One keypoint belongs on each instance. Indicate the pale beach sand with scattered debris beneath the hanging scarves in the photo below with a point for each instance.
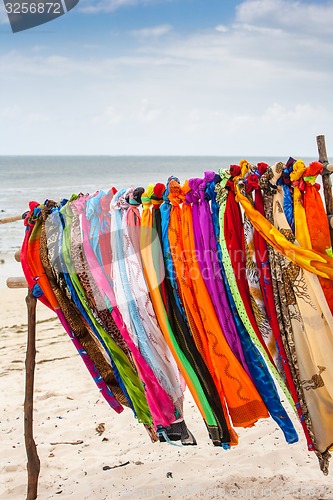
(69, 408)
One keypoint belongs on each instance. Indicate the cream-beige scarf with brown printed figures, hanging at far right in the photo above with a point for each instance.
(314, 349)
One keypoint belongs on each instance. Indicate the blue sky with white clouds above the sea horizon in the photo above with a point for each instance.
(170, 77)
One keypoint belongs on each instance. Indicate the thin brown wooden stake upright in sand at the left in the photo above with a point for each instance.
(33, 464)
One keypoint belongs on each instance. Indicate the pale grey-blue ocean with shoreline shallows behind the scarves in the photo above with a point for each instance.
(37, 178)
